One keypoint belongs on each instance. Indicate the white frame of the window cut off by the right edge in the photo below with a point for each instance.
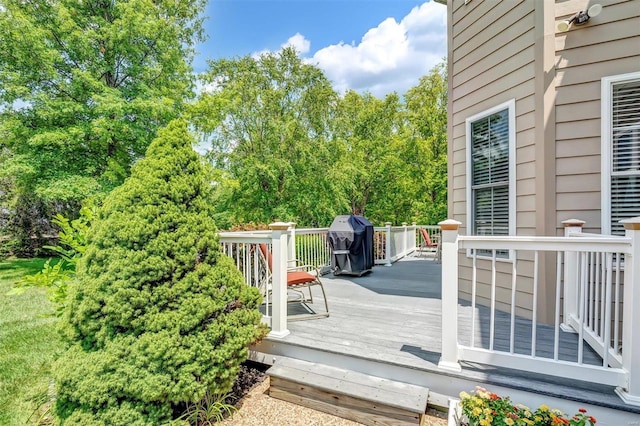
(606, 168)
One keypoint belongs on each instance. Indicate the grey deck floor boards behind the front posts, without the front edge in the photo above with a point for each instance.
(394, 314)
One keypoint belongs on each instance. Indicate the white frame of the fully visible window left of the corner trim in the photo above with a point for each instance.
(511, 107)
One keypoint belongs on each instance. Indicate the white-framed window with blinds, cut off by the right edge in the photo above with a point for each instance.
(620, 151)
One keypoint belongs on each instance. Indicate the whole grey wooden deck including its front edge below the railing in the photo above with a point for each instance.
(387, 323)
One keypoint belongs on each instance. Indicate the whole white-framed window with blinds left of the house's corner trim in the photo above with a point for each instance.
(490, 171)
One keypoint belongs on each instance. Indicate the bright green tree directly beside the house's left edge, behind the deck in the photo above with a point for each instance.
(397, 152)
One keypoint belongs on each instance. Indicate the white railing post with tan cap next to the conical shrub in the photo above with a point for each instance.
(279, 279)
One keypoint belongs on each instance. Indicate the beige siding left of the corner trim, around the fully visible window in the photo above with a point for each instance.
(504, 71)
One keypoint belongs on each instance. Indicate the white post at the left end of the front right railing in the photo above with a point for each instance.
(449, 316)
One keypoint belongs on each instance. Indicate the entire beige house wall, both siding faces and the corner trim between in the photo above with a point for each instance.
(506, 50)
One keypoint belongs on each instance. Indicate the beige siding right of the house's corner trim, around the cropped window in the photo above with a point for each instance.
(608, 45)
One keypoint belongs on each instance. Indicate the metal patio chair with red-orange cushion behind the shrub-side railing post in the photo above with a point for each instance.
(299, 278)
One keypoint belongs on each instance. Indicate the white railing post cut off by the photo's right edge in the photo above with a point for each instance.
(631, 315)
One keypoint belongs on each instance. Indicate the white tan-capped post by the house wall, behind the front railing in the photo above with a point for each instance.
(571, 284)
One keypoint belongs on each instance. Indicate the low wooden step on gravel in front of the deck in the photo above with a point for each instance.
(348, 394)
